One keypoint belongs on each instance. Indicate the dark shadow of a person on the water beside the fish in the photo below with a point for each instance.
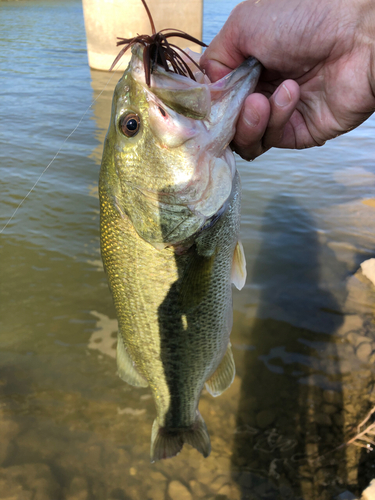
(291, 405)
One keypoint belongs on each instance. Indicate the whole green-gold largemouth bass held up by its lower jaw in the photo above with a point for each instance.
(170, 215)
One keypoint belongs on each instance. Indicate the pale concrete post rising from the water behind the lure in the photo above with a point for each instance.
(105, 20)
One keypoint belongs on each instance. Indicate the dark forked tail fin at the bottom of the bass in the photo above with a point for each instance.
(166, 443)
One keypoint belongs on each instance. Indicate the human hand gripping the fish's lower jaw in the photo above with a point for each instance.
(319, 70)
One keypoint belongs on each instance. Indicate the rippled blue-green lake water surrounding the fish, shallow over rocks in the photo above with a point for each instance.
(303, 332)
